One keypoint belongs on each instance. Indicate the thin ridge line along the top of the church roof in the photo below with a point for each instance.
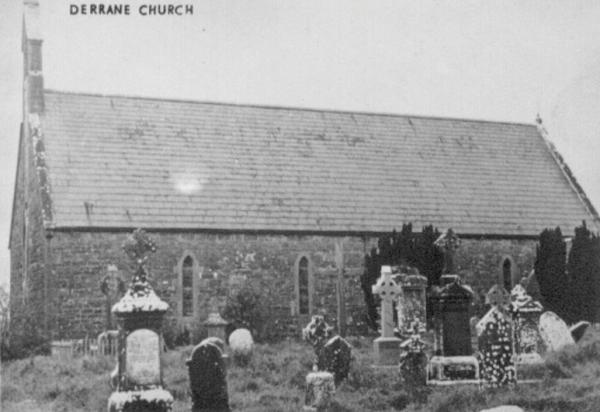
(275, 107)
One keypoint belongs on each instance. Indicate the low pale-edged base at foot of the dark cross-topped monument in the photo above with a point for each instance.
(453, 368)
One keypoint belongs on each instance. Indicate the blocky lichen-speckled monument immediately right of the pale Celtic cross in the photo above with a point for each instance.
(412, 303)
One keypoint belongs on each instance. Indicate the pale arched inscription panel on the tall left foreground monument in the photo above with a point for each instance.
(142, 357)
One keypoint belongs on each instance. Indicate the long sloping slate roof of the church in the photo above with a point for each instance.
(124, 162)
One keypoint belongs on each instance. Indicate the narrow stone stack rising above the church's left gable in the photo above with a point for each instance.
(33, 81)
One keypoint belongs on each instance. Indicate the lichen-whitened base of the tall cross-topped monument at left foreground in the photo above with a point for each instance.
(152, 400)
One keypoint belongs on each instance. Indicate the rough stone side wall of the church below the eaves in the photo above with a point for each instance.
(79, 261)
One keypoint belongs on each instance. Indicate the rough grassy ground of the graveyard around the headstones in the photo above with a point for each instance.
(274, 380)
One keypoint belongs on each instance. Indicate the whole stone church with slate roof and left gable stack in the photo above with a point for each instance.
(287, 199)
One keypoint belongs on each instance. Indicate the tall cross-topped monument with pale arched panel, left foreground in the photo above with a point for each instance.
(138, 378)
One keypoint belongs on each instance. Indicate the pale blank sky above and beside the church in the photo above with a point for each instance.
(497, 60)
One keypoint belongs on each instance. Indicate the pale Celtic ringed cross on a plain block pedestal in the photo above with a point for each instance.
(387, 346)
